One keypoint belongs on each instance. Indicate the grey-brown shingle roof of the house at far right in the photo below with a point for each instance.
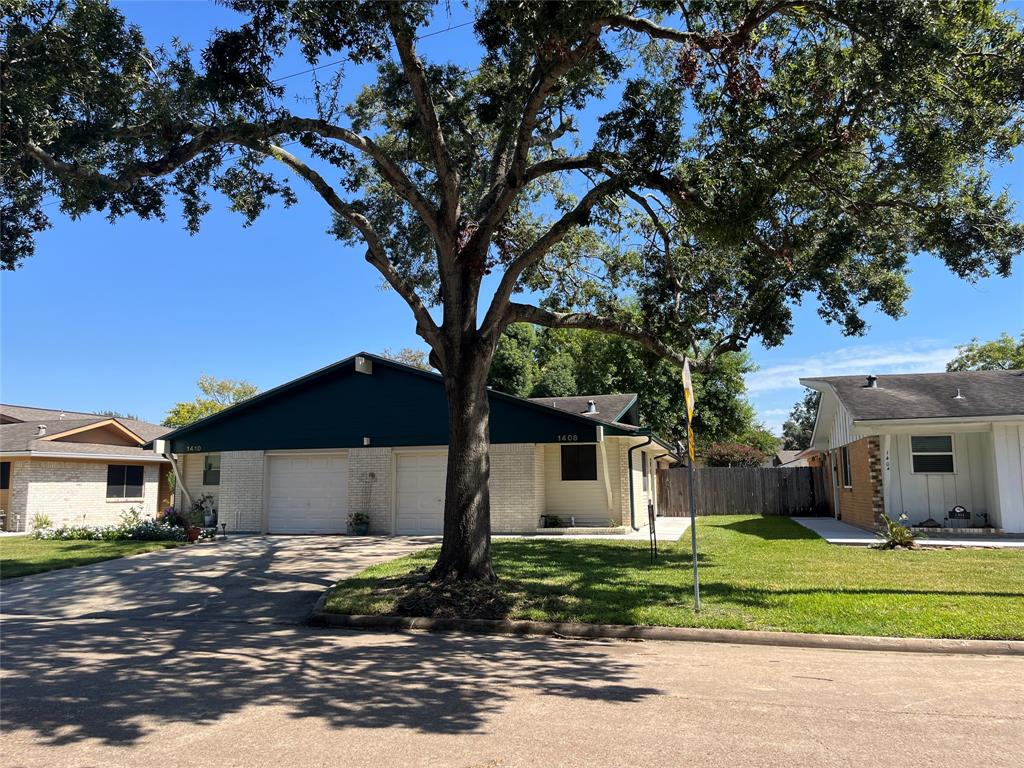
(930, 396)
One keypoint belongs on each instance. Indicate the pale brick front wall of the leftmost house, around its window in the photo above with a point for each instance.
(73, 493)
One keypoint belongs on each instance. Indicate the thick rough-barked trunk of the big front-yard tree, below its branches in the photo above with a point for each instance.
(466, 548)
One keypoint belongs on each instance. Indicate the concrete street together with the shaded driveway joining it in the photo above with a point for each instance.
(200, 659)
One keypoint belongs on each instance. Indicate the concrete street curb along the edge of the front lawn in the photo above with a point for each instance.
(320, 618)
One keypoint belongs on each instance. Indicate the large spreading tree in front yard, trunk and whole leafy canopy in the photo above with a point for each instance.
(748, 155)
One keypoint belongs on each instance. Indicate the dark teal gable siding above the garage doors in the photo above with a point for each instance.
(395, 406)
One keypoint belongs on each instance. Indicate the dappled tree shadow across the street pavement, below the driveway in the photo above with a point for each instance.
(120, 682)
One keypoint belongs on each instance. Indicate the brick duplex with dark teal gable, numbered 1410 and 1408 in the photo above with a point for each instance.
(369, 435)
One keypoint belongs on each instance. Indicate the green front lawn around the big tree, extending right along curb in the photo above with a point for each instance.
(757, 574)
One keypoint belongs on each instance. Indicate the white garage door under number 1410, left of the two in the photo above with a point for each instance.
(309, 494)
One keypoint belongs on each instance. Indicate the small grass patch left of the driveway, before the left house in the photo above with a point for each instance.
(24, 556)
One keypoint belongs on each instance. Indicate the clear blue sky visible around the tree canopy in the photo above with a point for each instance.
(127, 317)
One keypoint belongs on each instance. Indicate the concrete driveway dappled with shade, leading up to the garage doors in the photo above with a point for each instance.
(244, 579)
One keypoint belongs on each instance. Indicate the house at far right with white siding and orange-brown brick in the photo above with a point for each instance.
(922, 445)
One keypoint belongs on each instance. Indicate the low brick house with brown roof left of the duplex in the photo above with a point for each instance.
(77, 467)
